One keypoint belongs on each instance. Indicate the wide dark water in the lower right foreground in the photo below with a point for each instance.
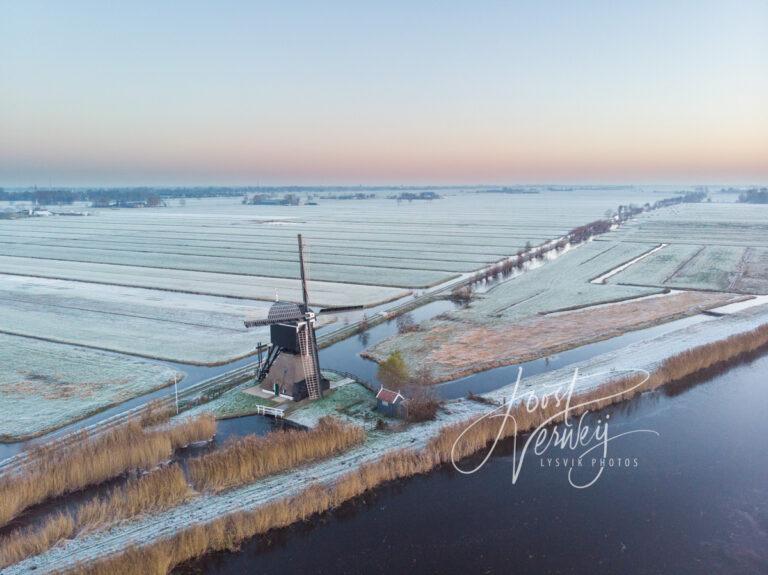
(693, 499)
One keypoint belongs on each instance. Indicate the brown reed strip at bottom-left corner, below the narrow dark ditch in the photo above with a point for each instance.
(151, 493)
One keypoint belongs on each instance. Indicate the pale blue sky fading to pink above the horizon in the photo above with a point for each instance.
(396, 92)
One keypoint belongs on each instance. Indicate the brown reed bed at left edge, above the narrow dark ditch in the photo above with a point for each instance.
(56, 470)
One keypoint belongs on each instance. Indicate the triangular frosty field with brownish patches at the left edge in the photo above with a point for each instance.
(44, 386)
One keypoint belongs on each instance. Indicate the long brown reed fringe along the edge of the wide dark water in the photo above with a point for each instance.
(229, 531)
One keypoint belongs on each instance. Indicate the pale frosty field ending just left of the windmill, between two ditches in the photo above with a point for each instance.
(172, 326)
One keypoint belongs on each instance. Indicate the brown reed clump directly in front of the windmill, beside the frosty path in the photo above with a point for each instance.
(246, 459)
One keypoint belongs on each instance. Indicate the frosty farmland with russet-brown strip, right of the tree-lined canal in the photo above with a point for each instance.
(705, 247)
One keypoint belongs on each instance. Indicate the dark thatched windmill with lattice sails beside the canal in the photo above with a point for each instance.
(292, 365)
